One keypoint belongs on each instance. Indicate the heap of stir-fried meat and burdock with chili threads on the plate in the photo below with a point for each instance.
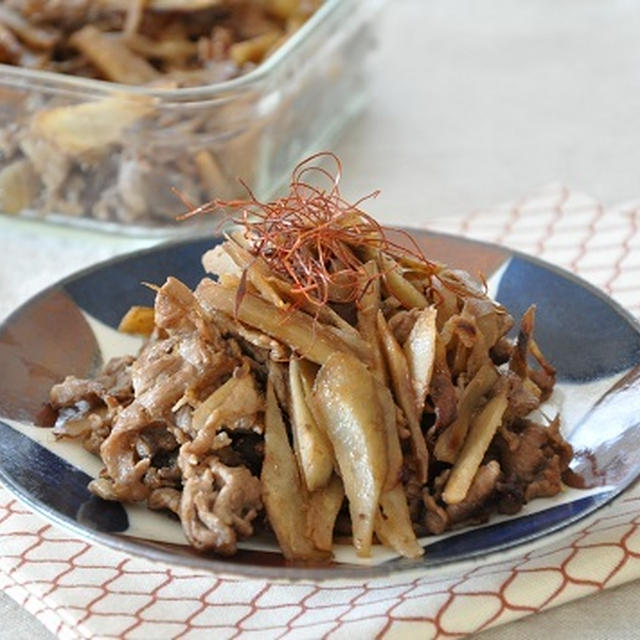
(329, 381)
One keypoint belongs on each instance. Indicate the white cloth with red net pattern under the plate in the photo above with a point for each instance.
(82, 591)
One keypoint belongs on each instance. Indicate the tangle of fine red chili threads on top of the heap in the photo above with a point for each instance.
(317, 241)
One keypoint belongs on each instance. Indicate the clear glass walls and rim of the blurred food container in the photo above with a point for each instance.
(98, 154)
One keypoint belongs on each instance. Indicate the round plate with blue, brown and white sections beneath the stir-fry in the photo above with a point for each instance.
(70, 329)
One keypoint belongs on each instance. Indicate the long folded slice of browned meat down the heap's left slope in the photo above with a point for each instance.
(176, 367)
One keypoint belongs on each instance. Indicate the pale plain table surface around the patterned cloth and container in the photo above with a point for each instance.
(472, 103)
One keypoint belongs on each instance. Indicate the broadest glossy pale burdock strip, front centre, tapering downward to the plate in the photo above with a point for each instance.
(345, 399)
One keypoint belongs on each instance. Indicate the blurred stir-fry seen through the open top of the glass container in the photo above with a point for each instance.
(147, 42)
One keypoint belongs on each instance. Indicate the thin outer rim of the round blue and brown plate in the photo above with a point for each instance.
(298, 572)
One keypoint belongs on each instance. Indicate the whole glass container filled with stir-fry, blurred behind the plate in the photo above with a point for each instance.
(127, 98)
